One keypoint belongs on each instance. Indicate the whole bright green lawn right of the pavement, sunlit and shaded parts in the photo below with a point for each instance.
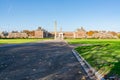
(103, 55)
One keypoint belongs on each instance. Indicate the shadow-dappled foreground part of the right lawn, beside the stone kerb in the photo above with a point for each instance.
(103, 58)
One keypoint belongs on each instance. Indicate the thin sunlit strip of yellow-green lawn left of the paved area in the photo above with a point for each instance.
(18, 41)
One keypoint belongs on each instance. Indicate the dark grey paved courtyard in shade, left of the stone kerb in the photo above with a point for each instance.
(39, 61)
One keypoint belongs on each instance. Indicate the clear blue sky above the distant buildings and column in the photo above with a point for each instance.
(69, 14)
